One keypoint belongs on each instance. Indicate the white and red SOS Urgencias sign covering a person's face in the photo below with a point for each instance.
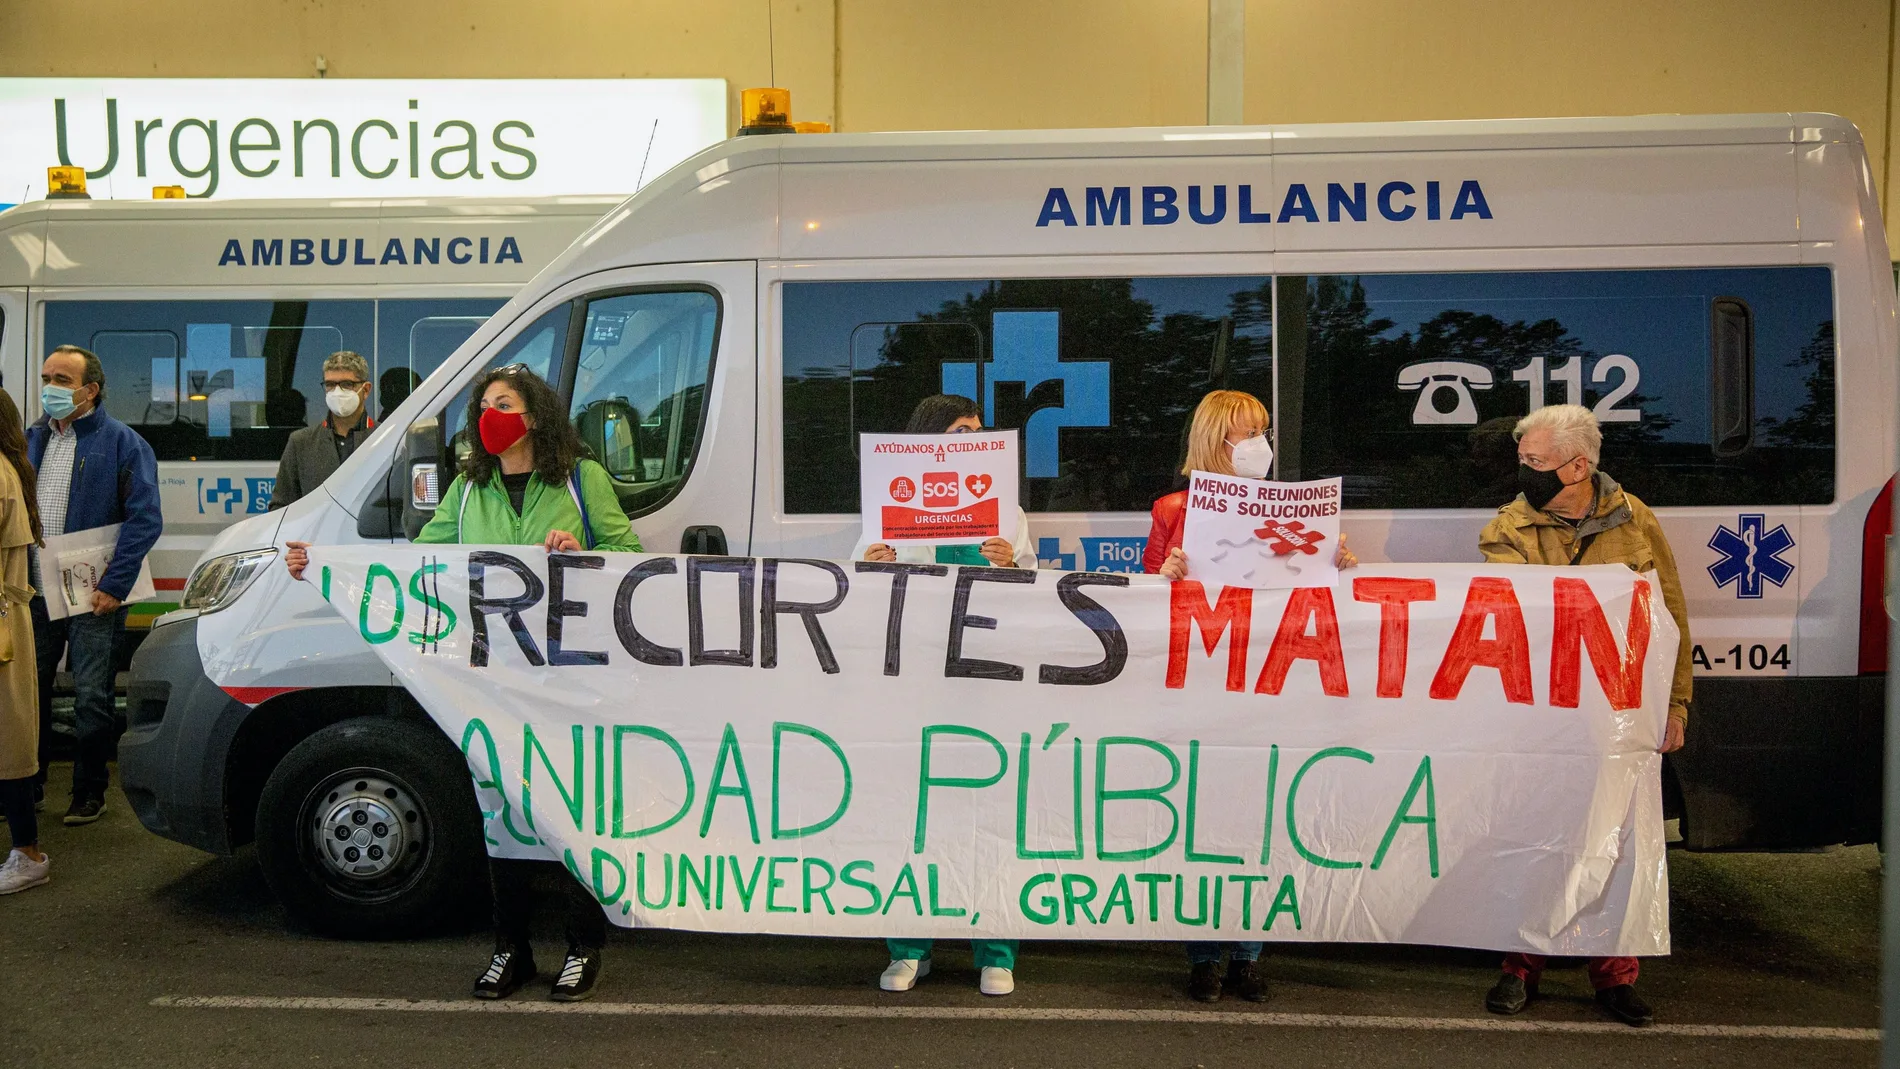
(938, 489)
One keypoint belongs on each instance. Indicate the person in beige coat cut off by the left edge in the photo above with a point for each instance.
(20, 679)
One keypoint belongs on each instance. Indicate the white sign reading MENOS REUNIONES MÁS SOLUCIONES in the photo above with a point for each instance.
(1249, 533)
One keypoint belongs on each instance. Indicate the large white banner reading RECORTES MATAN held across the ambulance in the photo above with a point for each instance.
(1432, 755)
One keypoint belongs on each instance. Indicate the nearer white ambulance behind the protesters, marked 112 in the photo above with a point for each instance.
(1717, 290)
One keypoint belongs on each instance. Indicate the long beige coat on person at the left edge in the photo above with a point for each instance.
(20, 677)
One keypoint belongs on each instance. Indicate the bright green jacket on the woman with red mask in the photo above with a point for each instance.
(491, 519)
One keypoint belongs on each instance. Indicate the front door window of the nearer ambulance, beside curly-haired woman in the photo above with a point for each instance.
(641, 386)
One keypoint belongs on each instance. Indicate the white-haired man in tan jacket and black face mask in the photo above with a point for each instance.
(1568, 512)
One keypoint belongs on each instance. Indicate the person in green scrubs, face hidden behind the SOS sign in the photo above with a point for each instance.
(951, 415)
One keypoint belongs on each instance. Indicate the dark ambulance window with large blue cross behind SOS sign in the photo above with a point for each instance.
(1099, 375)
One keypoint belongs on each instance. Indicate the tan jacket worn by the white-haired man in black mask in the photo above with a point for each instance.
(1627, 533)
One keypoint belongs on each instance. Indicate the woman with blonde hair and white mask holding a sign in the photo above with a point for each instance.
(1228, 438)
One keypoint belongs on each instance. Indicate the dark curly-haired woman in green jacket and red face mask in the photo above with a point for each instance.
(527, 483)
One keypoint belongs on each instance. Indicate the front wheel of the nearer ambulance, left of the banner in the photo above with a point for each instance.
(370, 831)
